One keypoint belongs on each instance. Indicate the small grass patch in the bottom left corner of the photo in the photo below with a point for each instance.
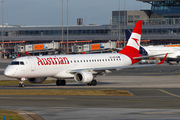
(10, 115)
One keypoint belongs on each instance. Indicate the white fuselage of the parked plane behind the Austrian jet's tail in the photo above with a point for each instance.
(174, 52)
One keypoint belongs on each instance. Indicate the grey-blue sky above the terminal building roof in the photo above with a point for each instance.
(49, 12)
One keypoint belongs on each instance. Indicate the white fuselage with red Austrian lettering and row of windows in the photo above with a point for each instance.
(59, 66)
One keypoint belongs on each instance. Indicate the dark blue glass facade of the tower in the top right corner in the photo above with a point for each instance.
(167, 8)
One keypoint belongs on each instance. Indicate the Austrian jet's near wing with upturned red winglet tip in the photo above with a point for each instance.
(116, 67)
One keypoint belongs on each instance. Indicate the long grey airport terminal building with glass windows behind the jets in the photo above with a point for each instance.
(161, 25)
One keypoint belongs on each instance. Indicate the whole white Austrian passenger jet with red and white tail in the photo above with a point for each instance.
(83, 68)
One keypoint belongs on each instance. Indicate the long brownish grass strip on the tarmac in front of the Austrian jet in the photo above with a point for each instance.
(82, 92)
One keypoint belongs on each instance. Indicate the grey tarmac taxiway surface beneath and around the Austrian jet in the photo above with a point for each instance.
(156, 93)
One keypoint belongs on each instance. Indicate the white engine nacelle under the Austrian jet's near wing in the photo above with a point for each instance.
(83, 77)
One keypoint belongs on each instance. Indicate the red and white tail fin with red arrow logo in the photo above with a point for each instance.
(133, 44)
